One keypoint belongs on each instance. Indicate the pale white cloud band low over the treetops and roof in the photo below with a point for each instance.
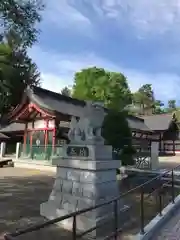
(59, 70)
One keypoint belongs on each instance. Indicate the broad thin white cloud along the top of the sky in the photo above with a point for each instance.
(145, 17)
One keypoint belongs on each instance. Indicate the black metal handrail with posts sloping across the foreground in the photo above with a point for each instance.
(10, 236)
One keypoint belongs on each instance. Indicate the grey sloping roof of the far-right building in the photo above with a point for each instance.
(158, 122)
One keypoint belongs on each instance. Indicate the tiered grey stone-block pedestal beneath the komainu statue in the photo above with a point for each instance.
(86, 176)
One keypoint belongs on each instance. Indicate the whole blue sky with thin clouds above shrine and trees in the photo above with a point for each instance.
(140, 38)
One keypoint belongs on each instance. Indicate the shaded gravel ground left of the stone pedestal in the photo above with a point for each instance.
(20, 199)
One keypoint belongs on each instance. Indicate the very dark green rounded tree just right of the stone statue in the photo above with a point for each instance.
(119, 135)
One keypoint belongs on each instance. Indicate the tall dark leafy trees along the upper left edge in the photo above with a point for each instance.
(19, 31)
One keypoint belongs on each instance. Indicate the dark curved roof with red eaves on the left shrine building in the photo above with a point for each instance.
(50, 103)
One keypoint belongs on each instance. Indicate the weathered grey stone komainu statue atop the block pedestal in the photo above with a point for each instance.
(88, 128)
